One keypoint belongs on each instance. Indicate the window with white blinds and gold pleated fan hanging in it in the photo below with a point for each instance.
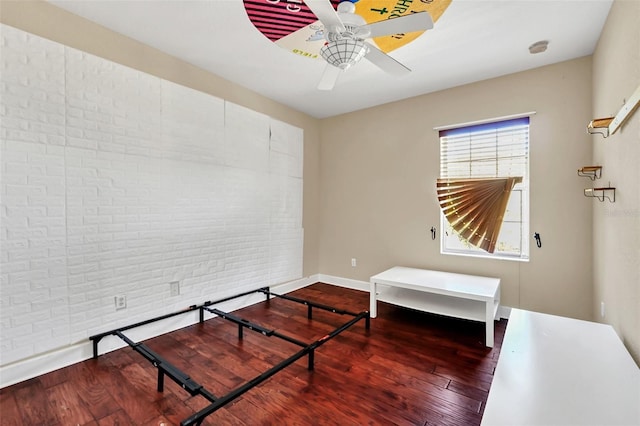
(485, 169)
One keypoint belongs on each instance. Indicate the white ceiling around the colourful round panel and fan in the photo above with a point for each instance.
(473, 40)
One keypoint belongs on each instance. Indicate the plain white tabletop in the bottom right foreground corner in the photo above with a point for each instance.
(560, 371)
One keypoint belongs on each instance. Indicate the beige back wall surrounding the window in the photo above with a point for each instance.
(378, 169)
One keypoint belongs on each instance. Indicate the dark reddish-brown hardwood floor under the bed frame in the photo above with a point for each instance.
(410, 368)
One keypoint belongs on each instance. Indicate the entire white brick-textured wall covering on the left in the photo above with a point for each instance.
(115, 182)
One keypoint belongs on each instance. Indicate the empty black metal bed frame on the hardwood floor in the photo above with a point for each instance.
(165, 368)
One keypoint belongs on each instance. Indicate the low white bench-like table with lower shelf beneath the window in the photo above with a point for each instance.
(444, 293)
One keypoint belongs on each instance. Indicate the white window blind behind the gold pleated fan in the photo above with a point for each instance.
(489, 150)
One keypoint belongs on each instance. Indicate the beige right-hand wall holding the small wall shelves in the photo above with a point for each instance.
(616, 227)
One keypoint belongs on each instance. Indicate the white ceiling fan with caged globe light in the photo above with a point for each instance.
(346, 32)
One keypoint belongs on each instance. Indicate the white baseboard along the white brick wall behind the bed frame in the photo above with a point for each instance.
(29, 368)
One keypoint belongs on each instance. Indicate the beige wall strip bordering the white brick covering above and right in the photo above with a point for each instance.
(48, 21)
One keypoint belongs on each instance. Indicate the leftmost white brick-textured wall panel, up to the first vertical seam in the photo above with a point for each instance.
(34, 301)
